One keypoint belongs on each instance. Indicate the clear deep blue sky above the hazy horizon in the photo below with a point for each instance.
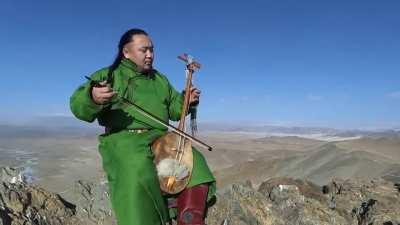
(292, 63)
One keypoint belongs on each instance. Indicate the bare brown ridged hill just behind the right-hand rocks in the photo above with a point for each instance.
(319, 165)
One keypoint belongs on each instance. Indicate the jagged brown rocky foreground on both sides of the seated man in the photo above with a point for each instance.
(278, 201)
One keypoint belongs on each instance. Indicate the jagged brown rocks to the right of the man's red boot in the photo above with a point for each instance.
(287, 201)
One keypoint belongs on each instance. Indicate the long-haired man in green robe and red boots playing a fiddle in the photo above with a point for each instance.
(125, 146)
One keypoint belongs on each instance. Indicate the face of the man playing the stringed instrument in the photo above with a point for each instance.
(140, 51)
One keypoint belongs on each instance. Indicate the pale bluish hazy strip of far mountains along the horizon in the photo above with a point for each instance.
(68, 124)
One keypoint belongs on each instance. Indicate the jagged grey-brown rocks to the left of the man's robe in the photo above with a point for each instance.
(25, 204)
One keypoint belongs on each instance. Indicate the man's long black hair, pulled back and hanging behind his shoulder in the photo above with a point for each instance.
(125, 39)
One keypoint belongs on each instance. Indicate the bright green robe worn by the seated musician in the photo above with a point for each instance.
(127, 159)
